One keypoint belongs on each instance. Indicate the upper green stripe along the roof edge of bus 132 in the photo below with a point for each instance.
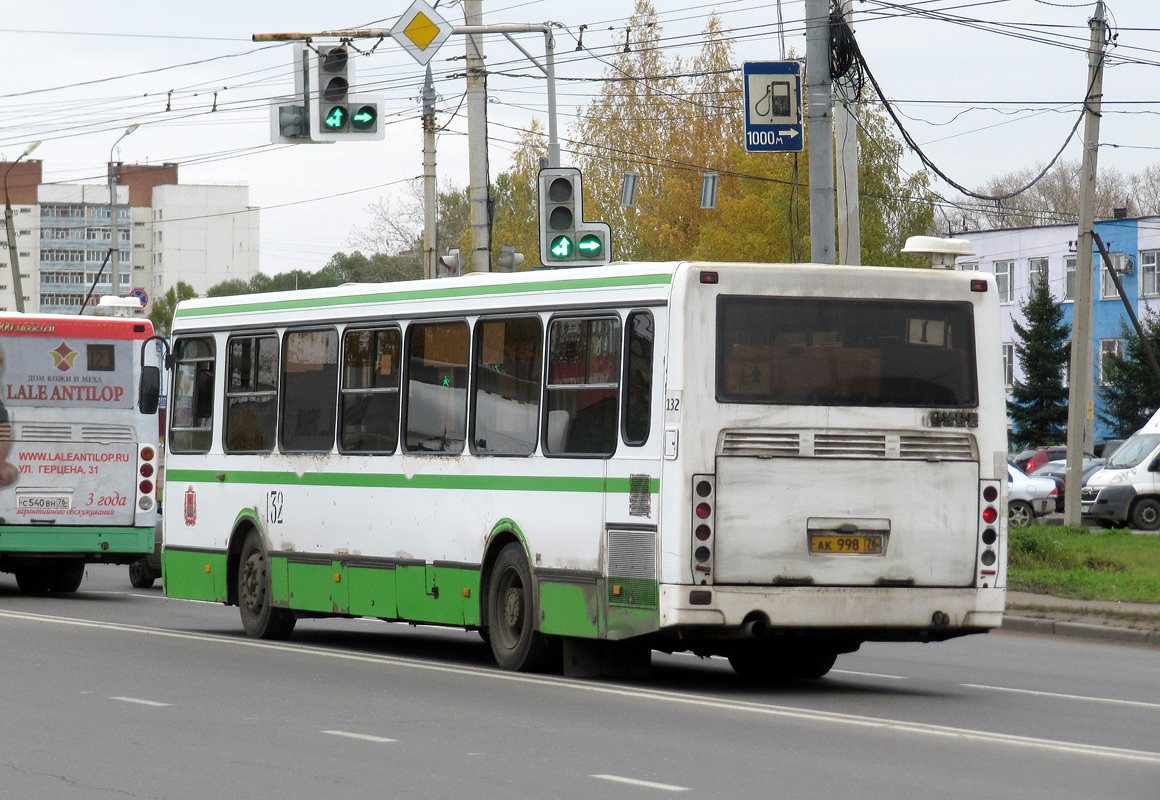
(443, 292)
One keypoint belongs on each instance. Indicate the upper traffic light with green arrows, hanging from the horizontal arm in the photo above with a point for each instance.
(337, 115)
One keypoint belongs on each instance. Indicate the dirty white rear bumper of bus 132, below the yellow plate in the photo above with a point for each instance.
(867, 613)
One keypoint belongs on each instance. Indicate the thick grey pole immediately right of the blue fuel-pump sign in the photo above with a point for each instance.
(822, 132)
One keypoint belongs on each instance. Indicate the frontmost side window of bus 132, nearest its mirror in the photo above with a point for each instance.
(192, 405)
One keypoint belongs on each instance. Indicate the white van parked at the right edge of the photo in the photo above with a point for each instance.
(1127, 492)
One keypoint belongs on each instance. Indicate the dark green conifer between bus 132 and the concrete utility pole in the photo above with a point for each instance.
(1039, 405)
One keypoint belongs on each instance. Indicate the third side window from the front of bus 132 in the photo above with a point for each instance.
(310, 368)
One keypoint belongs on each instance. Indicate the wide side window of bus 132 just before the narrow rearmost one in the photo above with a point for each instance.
(584, 374)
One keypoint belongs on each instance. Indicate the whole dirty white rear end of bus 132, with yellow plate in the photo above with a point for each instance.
(836, 459)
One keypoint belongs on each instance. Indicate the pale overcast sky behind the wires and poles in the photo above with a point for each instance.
(987, 88)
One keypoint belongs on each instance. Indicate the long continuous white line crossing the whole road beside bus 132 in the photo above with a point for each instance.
(610, 690)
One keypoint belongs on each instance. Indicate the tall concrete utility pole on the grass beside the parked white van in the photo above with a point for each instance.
(1081, 394)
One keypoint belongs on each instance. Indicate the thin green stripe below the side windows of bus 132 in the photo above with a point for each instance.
(400, 482)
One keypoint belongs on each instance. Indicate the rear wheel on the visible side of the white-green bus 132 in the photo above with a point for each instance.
(512, 616)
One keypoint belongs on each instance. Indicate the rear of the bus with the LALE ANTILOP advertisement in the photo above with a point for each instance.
(77, 456)
